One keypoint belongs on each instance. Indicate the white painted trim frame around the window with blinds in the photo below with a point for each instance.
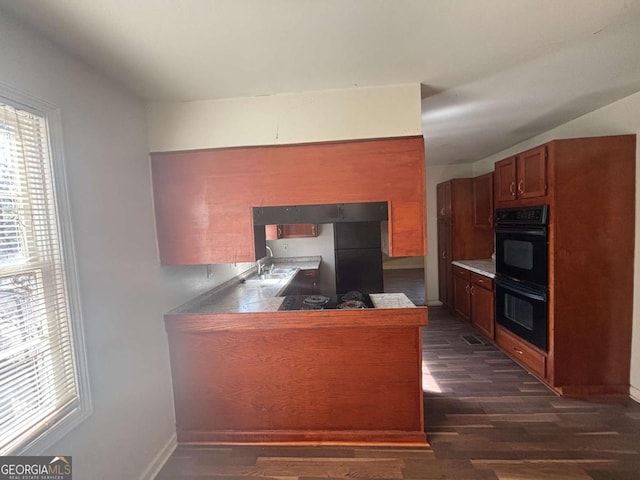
(53, 119)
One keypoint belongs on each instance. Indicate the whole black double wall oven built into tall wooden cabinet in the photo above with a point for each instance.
(522, 273)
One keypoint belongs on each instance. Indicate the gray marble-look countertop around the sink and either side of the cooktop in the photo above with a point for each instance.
(240, 295)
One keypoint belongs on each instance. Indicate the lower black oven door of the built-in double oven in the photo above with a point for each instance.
(522, 309)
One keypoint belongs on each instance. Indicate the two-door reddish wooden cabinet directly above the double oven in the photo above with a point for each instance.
(521, 177)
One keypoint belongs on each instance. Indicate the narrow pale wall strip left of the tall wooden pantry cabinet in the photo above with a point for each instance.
(435, 175)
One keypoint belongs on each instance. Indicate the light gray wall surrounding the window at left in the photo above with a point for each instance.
(123, 289)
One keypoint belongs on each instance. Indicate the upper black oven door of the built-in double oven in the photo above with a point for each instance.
(521, 253)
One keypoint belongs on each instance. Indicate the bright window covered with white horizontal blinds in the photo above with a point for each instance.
(42, 373)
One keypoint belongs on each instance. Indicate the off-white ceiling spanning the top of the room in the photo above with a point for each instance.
(494, 72)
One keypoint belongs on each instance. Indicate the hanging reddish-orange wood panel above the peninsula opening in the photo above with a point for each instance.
(204, 198)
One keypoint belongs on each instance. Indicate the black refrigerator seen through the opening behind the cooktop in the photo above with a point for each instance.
(358, 257)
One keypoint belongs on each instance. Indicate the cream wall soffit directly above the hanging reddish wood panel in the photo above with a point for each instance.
(355, 113)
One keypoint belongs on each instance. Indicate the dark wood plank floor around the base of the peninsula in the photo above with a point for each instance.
(486, 418)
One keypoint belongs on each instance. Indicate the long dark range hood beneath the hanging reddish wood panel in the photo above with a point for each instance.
(327, 213)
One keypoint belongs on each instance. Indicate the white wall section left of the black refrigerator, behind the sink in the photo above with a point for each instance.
(322, 245)
